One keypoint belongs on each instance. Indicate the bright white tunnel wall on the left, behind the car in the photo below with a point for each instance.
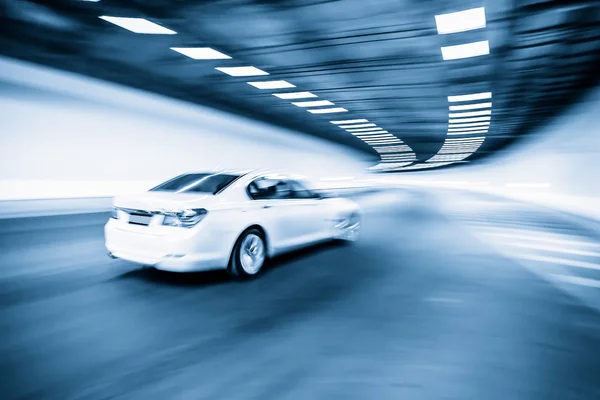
(65, 135)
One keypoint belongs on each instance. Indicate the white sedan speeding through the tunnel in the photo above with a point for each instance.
(229, 220)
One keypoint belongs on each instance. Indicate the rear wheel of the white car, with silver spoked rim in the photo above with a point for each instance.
(249, 255)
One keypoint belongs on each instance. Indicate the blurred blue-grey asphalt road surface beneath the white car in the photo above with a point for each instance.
(423, 306)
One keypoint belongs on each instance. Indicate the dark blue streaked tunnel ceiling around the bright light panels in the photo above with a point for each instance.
(380, 60)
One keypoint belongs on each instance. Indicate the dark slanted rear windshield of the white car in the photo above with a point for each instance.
(196, 183)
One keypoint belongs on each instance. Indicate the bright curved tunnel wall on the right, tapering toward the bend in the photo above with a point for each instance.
(558, 167)
